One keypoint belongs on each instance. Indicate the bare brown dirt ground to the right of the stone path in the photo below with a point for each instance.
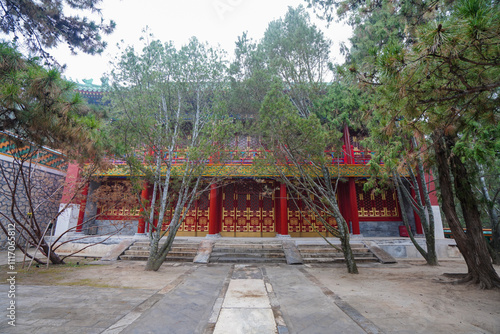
(410, 294)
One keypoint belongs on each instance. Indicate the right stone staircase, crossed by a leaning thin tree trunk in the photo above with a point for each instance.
(324, 253)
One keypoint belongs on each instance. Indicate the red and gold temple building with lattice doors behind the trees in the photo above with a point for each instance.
(249, 201)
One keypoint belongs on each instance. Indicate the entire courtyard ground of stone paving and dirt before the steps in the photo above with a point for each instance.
(189, 298)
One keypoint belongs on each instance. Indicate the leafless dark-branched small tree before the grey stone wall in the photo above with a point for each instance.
(30, 198)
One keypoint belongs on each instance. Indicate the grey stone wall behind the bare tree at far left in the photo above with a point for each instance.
(43, 188)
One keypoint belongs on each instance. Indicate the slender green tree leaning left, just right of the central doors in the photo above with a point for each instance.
(296, 149)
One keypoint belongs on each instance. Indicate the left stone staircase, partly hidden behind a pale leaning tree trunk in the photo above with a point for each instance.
(182, 251)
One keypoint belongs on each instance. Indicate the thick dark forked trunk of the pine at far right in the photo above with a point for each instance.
(472, 244)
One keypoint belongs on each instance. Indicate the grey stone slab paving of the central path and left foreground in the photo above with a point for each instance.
(206, 299)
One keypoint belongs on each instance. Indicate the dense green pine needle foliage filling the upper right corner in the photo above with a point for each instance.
(422, 66)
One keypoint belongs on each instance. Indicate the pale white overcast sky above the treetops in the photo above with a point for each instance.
(218, 22)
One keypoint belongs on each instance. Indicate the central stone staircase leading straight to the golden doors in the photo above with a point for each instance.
(245, 251)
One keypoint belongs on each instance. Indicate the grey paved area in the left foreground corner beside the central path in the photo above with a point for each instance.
(68, 309)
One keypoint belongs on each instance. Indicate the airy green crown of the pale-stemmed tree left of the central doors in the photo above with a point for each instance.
(160, 95)
